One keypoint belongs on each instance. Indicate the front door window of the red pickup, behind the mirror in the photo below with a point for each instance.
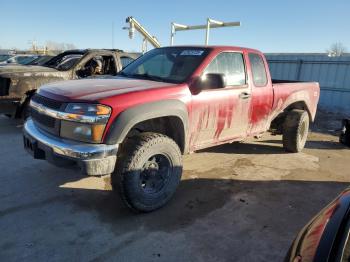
(231, 65)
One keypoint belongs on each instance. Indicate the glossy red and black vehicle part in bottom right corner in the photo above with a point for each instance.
(326, 236)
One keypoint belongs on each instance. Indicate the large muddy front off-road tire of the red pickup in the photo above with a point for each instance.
(134, 153)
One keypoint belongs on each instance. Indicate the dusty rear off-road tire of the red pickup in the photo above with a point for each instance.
(295, 130)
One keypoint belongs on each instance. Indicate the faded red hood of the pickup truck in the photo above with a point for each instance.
(97, 89)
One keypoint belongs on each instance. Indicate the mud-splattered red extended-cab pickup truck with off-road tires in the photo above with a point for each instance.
(169, 102)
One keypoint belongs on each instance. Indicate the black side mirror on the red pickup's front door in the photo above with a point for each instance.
(209, 81)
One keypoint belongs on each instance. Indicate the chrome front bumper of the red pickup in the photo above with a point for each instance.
(94, 159)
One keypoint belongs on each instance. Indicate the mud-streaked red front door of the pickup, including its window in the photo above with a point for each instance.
(219, 115)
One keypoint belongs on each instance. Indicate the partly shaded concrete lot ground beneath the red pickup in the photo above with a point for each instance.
(236, 202)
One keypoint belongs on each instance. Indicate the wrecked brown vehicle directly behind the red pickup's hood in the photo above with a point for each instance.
(18, 84)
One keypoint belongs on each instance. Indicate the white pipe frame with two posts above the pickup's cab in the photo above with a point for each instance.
(211, 23)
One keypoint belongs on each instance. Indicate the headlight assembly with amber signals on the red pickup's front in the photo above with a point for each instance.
(85, 122)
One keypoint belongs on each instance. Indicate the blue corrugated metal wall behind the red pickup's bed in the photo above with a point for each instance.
(333, 74)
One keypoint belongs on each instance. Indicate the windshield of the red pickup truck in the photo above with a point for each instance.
(169, 64)
